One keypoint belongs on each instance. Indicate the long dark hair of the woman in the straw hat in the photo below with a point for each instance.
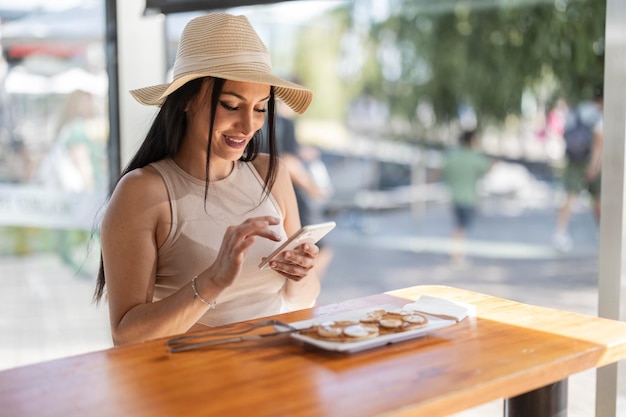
(167, 132)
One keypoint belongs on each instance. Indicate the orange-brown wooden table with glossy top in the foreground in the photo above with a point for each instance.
(507, 350)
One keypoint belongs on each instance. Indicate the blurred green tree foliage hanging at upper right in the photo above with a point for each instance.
(486, 57)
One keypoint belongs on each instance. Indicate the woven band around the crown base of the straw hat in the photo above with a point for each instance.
(203, 63)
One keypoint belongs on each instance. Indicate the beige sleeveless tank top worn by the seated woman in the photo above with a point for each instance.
(196, 236)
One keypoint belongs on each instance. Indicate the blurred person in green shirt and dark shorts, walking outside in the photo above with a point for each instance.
(464, 166)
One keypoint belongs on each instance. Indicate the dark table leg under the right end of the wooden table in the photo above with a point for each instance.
(548, 401)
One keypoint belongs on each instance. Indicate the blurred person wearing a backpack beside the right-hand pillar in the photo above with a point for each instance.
(583, 152)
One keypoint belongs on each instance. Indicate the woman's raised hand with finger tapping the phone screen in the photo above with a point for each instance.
(234, 248)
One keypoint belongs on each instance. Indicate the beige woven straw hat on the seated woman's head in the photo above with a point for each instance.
(224, 46)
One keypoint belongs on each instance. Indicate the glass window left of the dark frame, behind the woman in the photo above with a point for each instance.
(53, 178)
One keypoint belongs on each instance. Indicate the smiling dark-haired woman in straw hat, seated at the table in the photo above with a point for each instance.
(198, 207)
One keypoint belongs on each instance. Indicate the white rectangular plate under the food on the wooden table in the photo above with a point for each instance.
(348, 347)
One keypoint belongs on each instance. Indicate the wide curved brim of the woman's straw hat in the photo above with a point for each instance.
(297, 97)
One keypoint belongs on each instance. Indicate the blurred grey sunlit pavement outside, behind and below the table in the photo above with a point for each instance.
(511, 257)
